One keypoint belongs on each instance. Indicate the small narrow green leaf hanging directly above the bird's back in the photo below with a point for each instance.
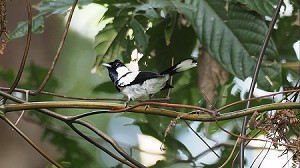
(140, 36)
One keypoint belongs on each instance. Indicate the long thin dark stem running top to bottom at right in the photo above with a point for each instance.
(255, 76)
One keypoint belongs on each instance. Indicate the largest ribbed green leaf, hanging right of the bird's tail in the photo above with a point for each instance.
(234, 38)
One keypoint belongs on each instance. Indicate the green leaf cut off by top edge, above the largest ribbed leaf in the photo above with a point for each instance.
(265, 7)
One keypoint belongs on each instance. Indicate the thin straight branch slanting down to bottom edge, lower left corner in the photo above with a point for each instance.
(30, 142)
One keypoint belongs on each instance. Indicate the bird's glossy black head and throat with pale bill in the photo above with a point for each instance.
(112, 69)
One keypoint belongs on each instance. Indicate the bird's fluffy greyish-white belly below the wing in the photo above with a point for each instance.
(150, 86)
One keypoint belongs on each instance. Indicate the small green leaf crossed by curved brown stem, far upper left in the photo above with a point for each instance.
(21, 30)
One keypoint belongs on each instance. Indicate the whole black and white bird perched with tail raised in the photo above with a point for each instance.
(143, 84)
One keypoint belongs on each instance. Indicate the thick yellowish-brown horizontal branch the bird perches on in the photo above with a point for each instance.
(117, 108)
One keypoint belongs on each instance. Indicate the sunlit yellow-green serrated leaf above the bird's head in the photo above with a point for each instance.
(111, 41)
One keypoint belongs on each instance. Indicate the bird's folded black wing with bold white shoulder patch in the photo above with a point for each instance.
(137, 78)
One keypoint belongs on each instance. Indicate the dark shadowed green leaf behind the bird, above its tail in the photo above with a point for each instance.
(182, 43)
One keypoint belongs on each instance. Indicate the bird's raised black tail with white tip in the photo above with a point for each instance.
(181, 66)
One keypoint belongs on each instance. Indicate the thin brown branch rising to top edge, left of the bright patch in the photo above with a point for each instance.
(58, 49)
